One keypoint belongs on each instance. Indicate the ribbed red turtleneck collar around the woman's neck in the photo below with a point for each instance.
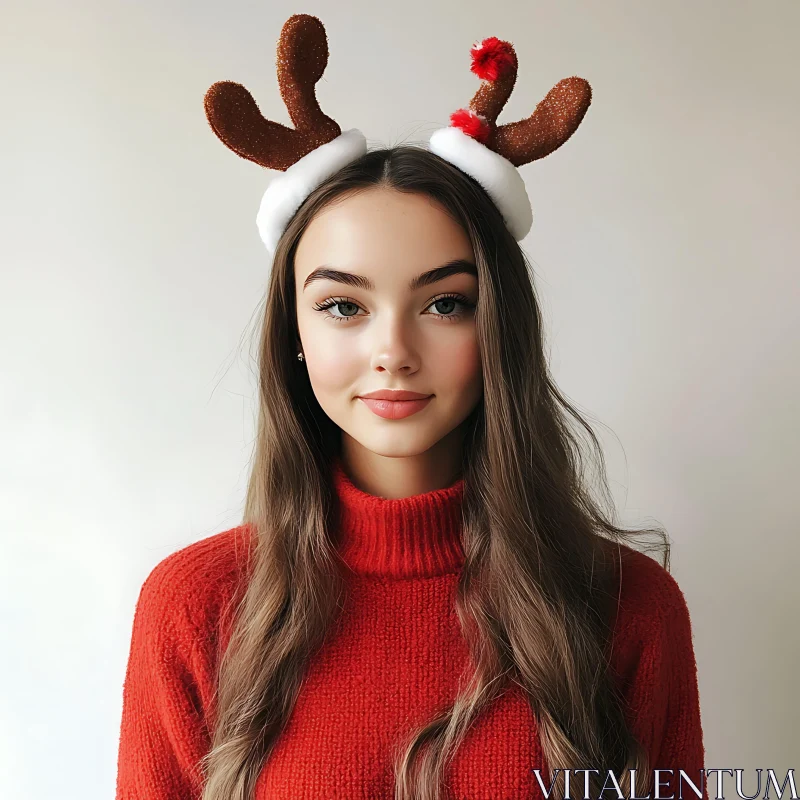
(408, 537)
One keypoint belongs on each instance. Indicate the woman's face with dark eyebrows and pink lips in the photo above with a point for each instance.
(378, 326)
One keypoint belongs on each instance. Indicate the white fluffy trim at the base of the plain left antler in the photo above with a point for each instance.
(290, 188)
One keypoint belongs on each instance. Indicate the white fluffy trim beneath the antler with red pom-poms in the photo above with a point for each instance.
(498, 176)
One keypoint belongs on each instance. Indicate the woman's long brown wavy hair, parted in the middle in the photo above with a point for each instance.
(535, 598)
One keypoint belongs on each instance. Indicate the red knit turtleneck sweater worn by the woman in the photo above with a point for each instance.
(394, 658)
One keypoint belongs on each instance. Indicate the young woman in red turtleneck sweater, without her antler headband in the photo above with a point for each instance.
(424, 600)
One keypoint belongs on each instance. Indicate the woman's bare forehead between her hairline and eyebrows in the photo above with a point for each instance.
(381, 229)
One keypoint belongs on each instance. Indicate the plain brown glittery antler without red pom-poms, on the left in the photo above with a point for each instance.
(234, 116)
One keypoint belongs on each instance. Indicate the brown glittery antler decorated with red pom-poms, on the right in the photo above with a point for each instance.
(553, 121)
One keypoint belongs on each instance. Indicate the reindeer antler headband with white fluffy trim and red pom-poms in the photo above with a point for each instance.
(316, 148)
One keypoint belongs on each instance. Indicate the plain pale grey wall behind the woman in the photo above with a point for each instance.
(664, 243)
